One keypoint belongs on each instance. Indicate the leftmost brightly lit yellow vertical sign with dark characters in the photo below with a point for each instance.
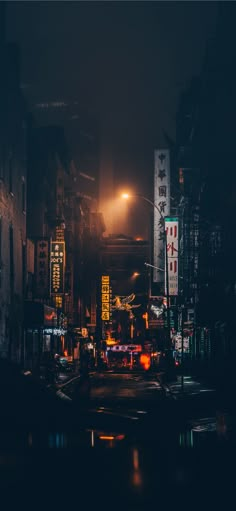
(57, 266)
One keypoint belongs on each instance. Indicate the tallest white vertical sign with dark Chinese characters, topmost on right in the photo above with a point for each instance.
(162, 201)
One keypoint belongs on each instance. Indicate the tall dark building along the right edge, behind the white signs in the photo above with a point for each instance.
(205, 156)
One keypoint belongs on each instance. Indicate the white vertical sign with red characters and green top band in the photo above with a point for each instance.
(172, 236)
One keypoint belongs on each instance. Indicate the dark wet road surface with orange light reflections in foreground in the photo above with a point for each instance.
(136, 444)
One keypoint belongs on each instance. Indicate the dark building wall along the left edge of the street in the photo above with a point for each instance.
(13, 187)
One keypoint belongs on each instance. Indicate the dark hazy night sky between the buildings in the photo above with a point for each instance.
(127, 62)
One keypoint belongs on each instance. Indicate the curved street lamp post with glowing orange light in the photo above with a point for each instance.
(146, 199)
